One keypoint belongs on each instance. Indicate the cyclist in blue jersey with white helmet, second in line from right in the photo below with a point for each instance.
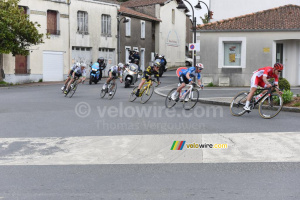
(186, 78)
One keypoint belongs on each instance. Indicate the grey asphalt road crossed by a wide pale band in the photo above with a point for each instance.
(85, 147)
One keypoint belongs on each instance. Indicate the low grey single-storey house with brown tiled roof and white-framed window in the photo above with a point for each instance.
(233, 48)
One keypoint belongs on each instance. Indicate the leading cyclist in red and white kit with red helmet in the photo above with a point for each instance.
(260, 78)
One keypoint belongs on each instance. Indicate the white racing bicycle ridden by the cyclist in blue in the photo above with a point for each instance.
(189, 98)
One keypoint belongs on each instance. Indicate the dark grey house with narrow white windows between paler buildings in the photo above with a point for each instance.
(137, 34)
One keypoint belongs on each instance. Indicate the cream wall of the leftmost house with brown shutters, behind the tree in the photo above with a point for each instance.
(38, 13)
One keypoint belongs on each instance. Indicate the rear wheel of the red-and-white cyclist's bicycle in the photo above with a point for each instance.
(237, 104)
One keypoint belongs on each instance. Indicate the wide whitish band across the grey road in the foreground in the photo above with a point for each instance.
(150, 149)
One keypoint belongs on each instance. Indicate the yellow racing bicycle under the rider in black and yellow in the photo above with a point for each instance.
(145, 92)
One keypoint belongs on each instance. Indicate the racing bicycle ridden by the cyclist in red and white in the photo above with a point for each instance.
(270, 103)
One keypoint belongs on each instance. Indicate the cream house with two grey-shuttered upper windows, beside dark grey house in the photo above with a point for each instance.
(93, 32)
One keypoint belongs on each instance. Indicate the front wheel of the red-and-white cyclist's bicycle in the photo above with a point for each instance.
(270, 106)
